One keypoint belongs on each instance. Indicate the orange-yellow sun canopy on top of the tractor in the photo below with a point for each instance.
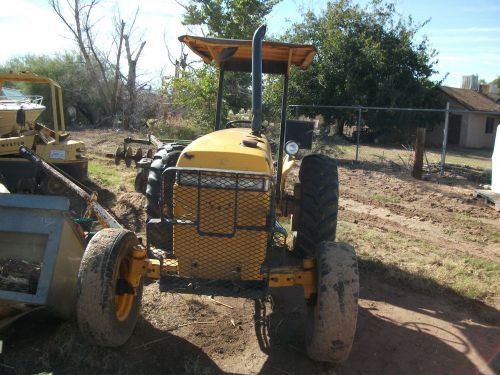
(236, 55)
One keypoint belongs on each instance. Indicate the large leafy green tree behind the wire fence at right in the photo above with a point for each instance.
(366, 56)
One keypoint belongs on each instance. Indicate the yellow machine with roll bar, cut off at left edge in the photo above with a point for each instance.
(18, 127)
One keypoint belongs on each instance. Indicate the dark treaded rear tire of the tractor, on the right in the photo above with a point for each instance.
(319, 203)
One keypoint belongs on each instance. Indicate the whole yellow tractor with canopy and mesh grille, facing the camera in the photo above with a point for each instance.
(213, 208)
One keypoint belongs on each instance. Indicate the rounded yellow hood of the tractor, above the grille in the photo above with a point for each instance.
(229, 149)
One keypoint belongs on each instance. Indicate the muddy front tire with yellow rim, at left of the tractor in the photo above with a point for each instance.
(107, 316)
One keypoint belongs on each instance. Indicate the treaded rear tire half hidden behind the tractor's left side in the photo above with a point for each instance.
(159, 235)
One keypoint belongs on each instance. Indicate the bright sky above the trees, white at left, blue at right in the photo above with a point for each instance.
(466, 34)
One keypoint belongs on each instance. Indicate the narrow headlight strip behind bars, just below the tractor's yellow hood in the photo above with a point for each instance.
(223, 182)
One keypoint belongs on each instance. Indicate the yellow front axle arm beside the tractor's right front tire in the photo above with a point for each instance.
(306, 277)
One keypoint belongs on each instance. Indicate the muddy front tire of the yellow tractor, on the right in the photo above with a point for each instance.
(331, 322)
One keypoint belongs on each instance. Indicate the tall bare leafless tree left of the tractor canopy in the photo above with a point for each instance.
(104, 70)
